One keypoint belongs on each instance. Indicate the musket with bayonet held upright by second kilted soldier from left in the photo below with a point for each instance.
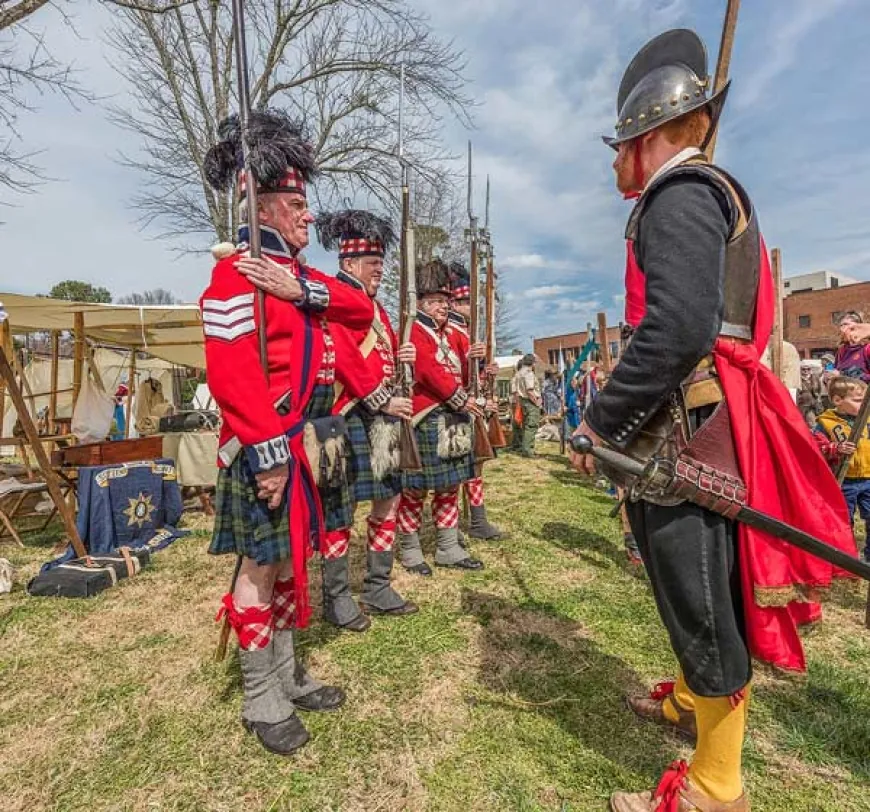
(409, 453)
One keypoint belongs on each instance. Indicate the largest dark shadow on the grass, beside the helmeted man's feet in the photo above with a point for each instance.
(537, 661)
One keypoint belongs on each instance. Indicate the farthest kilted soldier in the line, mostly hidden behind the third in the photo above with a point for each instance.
(479, 526)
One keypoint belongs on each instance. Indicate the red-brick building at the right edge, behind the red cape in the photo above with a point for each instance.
(810, 317)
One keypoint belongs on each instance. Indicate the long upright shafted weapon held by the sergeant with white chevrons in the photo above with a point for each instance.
(253, 237)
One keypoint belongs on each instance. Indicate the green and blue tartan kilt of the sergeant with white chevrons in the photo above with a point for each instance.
(243, 524)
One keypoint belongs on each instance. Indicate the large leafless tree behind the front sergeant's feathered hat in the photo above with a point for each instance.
(333, 63)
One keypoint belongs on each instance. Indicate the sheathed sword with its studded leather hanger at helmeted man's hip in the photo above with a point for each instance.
(667, 477)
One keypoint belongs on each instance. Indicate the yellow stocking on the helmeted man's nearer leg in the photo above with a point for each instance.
(715, 769)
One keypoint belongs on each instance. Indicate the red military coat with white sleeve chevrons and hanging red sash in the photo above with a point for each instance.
(263, 419)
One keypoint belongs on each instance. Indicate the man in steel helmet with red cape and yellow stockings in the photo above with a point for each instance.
(699, 295)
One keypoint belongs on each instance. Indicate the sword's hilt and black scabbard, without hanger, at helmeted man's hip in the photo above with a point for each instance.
(660, 474)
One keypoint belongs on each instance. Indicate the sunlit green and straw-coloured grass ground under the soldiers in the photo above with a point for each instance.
(504, 693)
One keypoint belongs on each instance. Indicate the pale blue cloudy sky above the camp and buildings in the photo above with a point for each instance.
(545, 74)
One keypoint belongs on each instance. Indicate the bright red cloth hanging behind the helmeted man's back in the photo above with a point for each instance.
(787, 478)
